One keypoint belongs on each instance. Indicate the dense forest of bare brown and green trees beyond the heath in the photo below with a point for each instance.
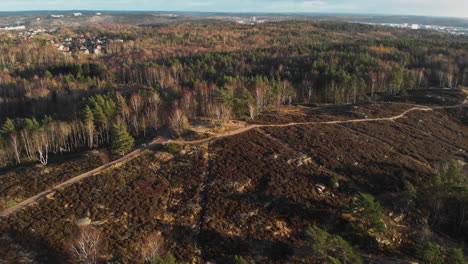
(157, 77)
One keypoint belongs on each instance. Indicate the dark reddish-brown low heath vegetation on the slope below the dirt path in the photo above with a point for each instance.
(254, 194)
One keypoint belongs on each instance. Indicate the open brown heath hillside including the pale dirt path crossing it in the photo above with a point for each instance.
(254, 194)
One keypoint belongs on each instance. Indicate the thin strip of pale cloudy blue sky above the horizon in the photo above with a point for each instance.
(454, 8)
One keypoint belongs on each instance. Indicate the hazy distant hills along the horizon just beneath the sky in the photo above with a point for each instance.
(43, 18)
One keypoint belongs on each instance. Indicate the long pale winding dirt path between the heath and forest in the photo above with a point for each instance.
(135, 153)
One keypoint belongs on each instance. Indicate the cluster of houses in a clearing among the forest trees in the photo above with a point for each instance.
(84, 45)
